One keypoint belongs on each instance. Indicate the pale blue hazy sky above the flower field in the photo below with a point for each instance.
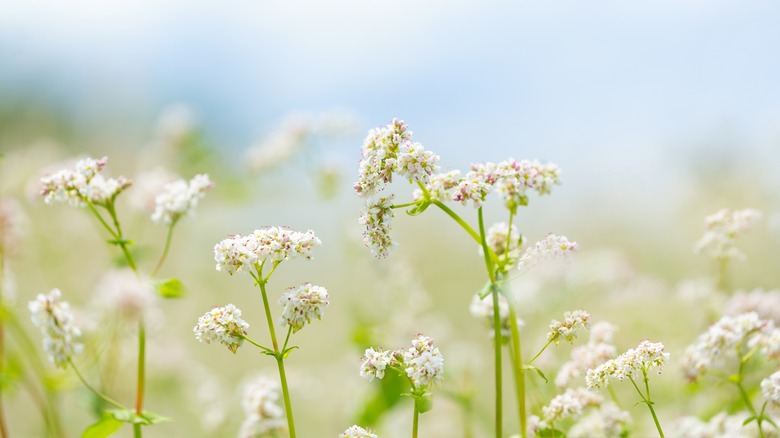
(608, 89)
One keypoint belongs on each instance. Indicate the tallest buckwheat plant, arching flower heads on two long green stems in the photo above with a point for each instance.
(390, 152)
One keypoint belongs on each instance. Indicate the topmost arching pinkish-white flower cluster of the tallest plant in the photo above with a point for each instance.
(389, 150)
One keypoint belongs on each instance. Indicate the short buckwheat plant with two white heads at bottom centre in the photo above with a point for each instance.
(422, 365)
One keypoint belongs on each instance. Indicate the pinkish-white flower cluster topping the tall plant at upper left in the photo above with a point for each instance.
(82, 184)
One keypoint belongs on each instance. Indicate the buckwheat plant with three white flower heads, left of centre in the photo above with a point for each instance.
(259, 254)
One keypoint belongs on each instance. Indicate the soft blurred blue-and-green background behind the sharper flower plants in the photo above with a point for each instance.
(658, 114)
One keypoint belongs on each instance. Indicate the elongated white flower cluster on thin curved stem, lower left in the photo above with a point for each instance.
(55, 320)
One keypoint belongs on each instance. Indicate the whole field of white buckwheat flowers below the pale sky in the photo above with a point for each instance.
(169, 290)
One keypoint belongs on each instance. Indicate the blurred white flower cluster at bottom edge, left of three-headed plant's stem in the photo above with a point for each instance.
(264, 416)
